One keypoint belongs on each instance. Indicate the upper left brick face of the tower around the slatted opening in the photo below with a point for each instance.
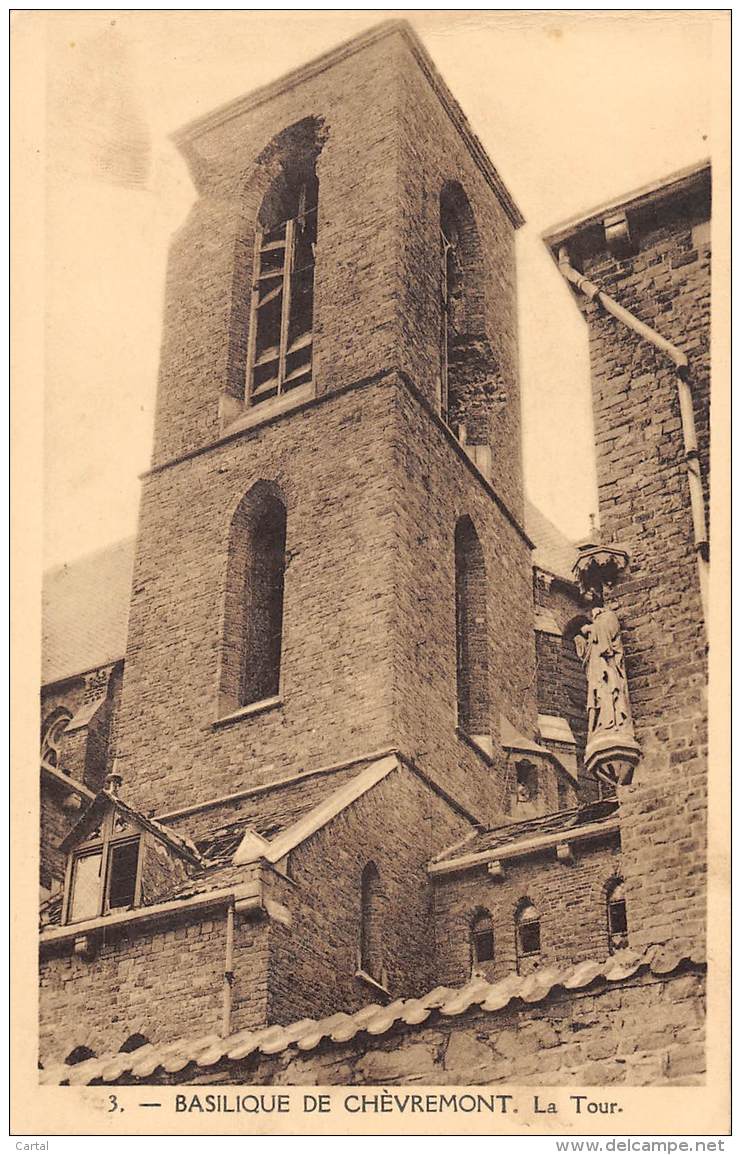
(211, 267)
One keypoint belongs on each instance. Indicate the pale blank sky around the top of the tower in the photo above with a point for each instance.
(574, 109)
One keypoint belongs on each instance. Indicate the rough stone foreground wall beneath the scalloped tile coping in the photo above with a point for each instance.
(643, 1032)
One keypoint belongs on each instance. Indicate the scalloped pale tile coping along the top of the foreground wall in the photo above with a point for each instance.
(151, 1063)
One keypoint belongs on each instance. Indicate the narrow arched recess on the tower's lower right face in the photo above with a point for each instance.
(471, 632)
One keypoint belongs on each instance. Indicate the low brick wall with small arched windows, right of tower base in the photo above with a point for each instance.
(570, 899)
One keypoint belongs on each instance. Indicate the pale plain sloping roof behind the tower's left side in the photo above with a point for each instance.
(85, 613)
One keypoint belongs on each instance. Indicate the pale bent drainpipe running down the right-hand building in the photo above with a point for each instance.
(687, 409)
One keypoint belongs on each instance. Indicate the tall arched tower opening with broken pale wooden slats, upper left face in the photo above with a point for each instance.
(282, 307)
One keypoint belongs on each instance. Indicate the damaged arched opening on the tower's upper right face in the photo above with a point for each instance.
(466, 357)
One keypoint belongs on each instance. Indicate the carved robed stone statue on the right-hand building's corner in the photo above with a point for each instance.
(600, 646)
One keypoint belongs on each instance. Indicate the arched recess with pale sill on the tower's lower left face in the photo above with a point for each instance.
(253, 609)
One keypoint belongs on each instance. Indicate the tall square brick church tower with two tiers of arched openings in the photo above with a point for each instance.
(332, 560)
